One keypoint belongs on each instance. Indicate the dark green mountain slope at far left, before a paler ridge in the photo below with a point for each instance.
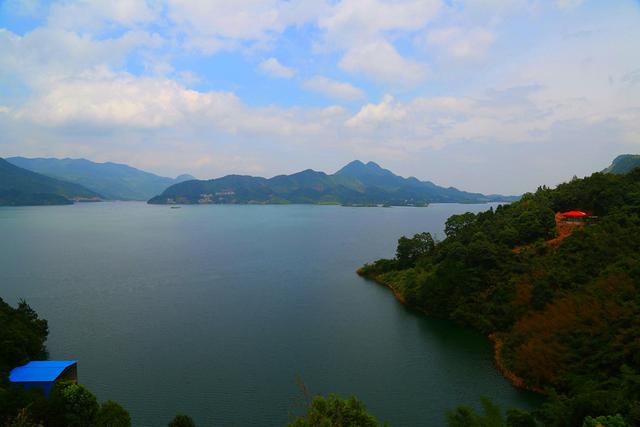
(21, 187)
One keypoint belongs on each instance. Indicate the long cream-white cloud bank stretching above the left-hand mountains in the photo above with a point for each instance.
(102, 99)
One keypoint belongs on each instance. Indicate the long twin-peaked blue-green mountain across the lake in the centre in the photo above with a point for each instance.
(355, 184)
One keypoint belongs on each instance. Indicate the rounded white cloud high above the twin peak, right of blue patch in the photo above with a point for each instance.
(380, 61)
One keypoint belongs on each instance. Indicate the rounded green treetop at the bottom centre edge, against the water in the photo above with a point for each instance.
(334, 411)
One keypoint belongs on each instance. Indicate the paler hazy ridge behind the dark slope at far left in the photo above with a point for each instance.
(114, 181)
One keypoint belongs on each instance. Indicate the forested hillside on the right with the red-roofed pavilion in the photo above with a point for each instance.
(564, 311)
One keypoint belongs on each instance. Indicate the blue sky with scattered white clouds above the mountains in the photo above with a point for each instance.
(496, 96)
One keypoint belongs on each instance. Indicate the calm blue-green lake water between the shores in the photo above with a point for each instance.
(214, 310)
